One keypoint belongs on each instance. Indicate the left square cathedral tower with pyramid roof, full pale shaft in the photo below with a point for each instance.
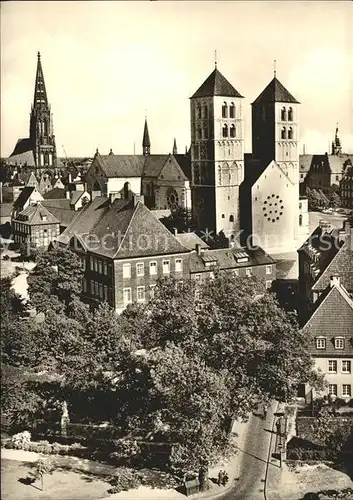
(217, 160)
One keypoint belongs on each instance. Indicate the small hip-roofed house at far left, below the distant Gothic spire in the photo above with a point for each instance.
(36, 226)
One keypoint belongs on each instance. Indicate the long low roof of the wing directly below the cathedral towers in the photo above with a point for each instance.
(226, 258)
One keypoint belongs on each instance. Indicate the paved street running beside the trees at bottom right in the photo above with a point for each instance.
(254, 460)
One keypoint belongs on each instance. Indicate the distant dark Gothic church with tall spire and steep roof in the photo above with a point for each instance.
(38, 150)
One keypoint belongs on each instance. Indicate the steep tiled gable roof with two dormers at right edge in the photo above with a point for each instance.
(326, 322)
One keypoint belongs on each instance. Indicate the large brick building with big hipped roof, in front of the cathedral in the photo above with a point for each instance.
(125, 249)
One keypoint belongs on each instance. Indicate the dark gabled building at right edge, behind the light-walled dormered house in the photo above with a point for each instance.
(327, 252)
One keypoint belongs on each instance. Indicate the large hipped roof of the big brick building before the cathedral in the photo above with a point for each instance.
(133, 230)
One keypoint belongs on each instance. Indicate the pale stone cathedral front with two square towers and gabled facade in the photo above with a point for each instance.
(259, 192)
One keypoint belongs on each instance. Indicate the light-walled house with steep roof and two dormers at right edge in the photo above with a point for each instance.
(330, 329)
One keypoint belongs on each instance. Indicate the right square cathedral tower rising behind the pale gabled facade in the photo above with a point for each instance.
(275, 129)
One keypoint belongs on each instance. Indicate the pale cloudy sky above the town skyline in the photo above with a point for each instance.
(107, 65)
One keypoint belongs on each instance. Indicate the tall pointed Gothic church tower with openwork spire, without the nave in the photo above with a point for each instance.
(41, 124)
